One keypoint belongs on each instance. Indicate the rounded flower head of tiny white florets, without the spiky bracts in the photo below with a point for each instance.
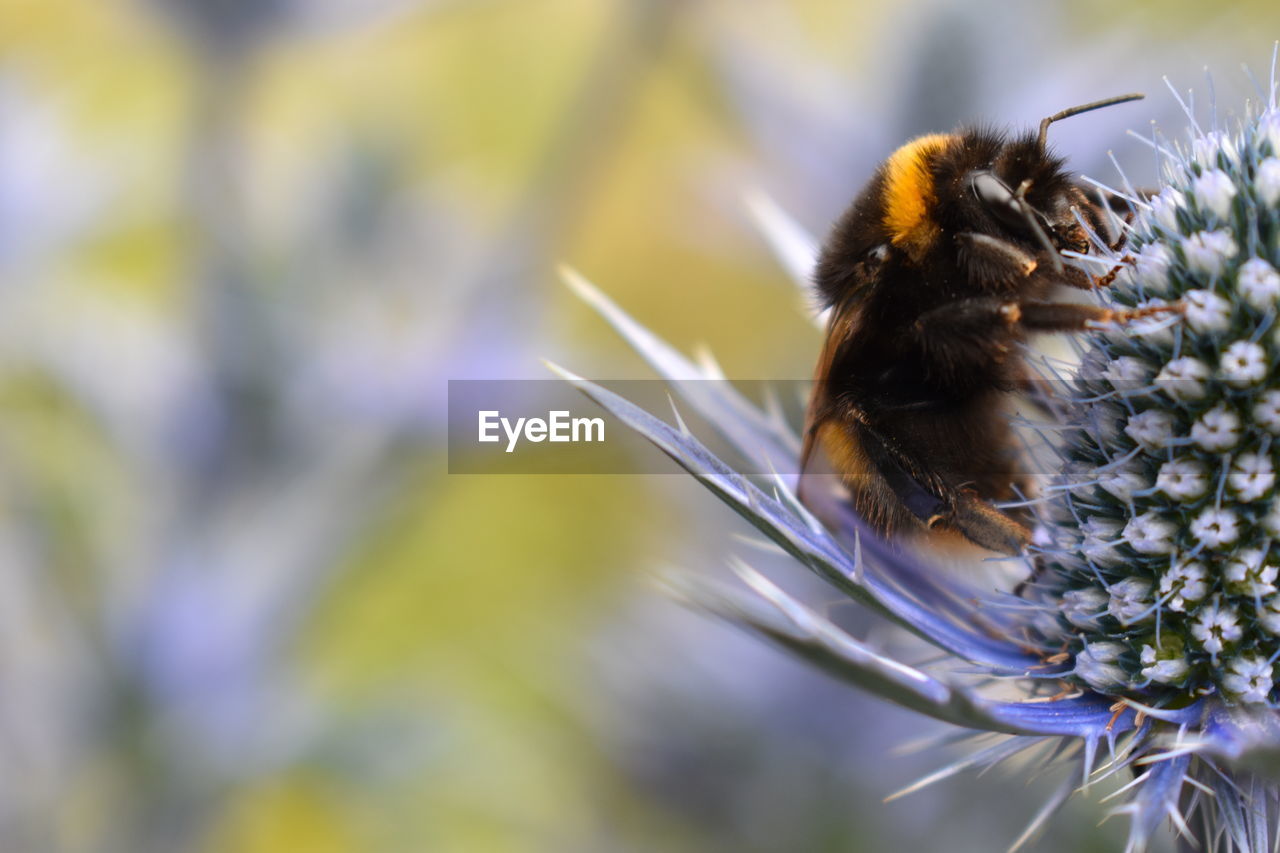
(1201, 540)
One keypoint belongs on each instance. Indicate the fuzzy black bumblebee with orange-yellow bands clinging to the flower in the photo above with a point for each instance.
(934, 279)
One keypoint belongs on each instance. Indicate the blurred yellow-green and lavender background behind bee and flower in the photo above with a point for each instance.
(245, 244)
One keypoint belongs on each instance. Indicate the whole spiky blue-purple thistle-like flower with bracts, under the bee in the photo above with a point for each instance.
(1146, 640)
